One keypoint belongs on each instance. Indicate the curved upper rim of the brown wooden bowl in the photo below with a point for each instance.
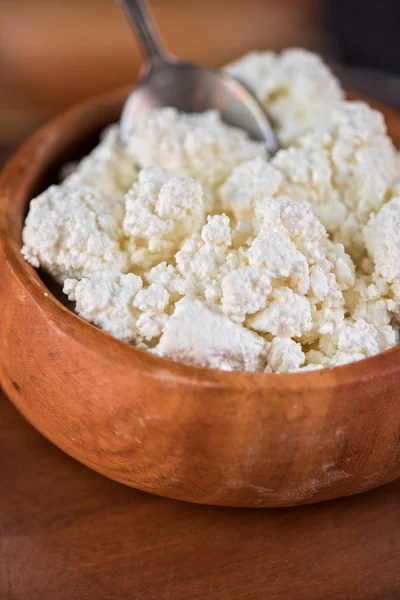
(34, 157)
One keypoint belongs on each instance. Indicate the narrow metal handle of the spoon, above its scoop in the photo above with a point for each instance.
(139, 18)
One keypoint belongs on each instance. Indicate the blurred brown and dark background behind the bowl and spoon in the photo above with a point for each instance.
(54, 53)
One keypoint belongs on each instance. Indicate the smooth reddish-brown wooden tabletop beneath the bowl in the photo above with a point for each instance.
(67, 533)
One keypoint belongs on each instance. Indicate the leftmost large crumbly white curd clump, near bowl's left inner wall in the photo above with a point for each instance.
(75, 232)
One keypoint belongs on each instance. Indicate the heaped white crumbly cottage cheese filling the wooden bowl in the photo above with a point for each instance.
(195, 245)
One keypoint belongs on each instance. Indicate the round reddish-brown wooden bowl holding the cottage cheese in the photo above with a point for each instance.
(234, 439)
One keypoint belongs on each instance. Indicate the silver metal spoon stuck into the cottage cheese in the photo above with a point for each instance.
(166, 81)
